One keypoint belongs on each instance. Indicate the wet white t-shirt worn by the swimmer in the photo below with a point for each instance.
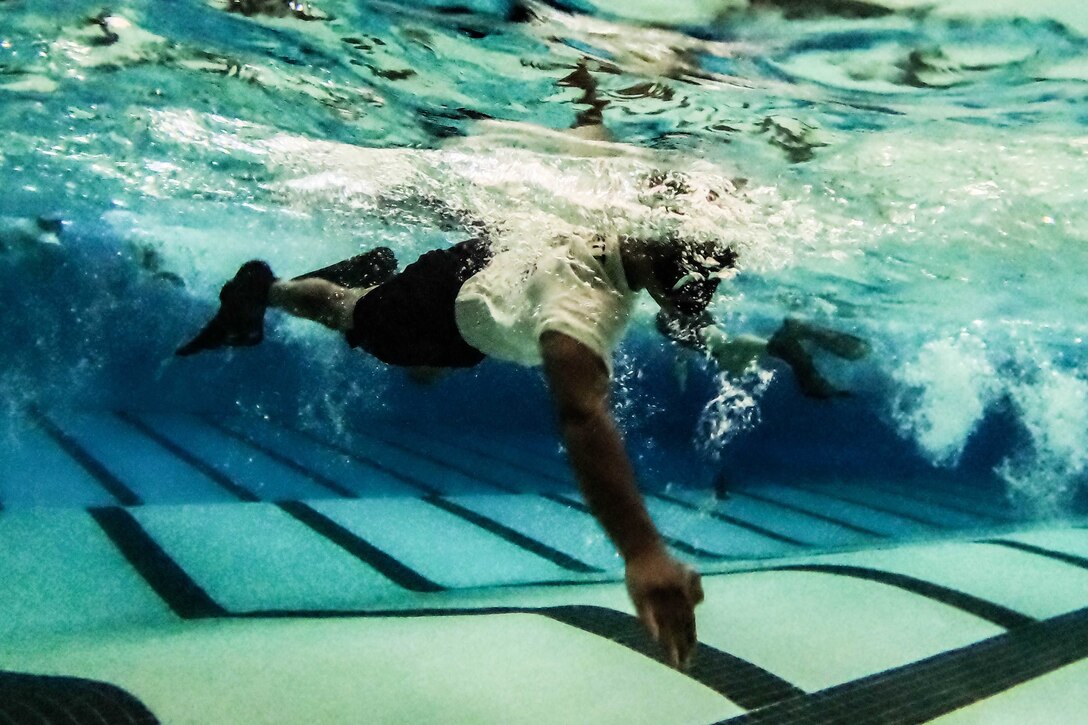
(574, 285)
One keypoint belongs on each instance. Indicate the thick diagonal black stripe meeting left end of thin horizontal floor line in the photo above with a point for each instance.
(169, 581)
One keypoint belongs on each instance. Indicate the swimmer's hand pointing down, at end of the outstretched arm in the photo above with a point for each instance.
(665, 594)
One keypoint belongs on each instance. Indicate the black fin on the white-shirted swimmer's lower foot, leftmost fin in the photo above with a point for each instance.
(241, 318)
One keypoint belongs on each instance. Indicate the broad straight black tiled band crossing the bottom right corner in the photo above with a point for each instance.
(924, 691)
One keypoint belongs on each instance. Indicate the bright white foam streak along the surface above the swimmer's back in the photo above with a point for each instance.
(513, 188)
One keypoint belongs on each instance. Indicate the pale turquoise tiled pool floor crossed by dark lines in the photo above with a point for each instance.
(222, 572)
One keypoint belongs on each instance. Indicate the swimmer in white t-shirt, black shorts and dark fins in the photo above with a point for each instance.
(565, 308)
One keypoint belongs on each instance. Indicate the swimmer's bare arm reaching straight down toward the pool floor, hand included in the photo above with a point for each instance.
(664, 592)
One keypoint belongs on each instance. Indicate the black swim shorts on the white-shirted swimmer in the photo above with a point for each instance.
(410, 320)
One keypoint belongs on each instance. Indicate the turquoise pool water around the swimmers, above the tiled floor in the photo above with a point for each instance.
(910, 175)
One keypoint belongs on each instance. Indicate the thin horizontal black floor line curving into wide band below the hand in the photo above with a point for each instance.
(741, 682)
